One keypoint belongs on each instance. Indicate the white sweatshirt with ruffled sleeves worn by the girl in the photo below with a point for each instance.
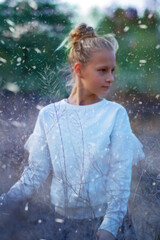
(91, 149)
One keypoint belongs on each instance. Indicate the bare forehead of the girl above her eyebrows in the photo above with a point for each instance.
(104, 57)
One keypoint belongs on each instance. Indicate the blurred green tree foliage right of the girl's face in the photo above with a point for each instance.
(139, 53)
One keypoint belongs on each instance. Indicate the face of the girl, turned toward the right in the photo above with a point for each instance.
(98, 74)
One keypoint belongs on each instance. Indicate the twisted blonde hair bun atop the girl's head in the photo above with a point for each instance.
(81, 31)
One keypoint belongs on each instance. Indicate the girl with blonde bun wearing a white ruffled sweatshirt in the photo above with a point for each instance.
(87, 141)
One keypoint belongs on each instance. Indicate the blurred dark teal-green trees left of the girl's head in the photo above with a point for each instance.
(30, 32)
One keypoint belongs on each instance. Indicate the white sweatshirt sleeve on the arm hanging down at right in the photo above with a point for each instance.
(125, 149)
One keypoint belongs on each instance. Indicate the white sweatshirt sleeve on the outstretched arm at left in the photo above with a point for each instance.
(39, 164)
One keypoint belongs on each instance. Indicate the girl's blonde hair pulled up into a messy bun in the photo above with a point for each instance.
(83, 41)
